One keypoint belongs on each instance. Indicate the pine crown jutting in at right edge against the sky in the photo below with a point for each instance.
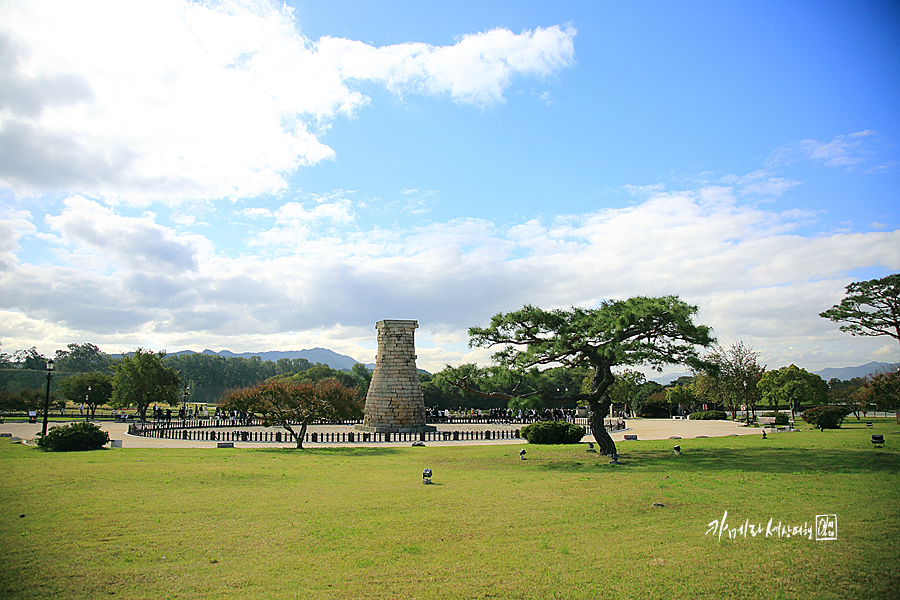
(870, 308)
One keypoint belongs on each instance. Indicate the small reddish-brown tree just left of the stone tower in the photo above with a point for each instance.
(287, 402)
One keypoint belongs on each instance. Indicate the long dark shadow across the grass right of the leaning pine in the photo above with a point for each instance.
(755, 460)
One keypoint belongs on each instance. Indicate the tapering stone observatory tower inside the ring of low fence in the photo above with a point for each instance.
(395, 402)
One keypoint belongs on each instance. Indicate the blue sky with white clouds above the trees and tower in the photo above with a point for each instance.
(256, 176)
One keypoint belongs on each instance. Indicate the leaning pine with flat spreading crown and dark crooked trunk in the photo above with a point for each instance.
(638, 331)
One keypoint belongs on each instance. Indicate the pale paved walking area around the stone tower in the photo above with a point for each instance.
(645, 429)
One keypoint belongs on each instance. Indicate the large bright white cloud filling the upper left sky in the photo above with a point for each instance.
(219, 99)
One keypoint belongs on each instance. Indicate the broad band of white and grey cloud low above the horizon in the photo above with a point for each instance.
(753, 278)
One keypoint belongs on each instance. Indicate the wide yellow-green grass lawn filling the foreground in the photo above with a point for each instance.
(359, 523)
